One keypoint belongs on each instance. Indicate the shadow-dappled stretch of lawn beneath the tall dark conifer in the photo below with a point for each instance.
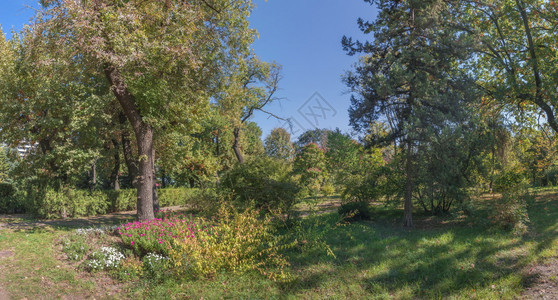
(454, 258)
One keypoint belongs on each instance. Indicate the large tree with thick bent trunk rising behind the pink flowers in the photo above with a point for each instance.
(160, 58)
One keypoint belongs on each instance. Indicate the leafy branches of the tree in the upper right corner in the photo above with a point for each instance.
(516, 55)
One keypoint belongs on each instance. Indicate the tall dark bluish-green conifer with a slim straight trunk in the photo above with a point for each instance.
(408, 75)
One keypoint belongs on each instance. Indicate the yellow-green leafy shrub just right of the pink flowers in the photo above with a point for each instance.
(238, 242)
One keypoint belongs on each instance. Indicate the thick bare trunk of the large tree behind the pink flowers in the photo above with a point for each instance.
(144, 138)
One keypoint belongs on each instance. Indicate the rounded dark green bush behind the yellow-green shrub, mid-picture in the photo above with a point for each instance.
(264, 182)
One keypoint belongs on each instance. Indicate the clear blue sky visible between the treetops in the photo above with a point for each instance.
(304, 36)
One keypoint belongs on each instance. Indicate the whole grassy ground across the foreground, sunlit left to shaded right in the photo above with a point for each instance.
(455, 257)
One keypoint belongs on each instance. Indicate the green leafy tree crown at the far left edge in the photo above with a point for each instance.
(59, 108)
